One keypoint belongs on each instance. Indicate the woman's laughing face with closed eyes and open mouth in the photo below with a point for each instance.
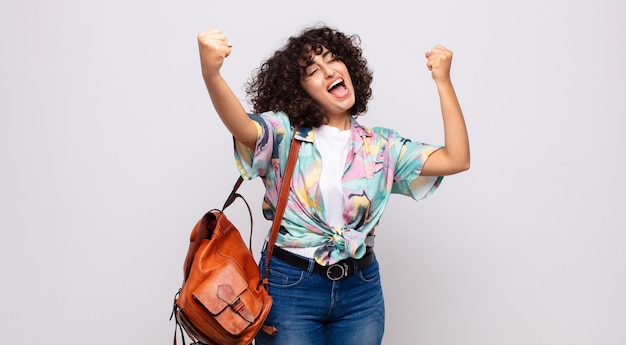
(328, 82)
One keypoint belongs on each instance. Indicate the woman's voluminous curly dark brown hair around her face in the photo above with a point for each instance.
(276, 84)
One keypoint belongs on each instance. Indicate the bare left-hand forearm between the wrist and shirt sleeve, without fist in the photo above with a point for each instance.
(230, 110)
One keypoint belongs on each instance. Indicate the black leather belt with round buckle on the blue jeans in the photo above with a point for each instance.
(335, 271)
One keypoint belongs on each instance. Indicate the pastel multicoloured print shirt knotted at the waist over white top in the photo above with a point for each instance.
(379, 162)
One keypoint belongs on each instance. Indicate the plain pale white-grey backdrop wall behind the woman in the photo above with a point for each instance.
(110, 152)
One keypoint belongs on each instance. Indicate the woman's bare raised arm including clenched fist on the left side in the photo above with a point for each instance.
(214, 48)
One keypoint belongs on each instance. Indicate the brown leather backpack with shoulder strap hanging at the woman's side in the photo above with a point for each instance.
(223, 299)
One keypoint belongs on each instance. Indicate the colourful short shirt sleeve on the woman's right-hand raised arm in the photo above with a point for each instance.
(411, 157)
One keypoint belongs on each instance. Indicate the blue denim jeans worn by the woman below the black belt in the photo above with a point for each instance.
(310, 309)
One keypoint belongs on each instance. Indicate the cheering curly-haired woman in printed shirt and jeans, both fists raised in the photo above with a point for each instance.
(323, 274)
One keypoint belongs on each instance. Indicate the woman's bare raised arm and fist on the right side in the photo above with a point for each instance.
(455, 156)
